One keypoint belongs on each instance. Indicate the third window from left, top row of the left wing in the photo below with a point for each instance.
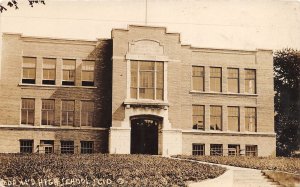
(69, 72)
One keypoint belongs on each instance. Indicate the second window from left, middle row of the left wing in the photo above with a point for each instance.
(48, 112)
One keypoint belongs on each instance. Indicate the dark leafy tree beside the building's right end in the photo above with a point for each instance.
(287, 103)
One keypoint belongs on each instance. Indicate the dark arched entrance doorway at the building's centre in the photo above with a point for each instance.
(144, 134)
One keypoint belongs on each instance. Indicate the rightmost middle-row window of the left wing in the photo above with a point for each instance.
(87, 113)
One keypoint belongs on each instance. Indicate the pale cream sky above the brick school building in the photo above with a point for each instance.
(229, 24)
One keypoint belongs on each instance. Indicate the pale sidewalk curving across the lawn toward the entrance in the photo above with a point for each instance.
(235, 177)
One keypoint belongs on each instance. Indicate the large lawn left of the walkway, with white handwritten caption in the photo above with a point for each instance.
(101, 169)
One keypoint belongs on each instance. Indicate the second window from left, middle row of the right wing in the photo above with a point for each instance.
(215, 118)
